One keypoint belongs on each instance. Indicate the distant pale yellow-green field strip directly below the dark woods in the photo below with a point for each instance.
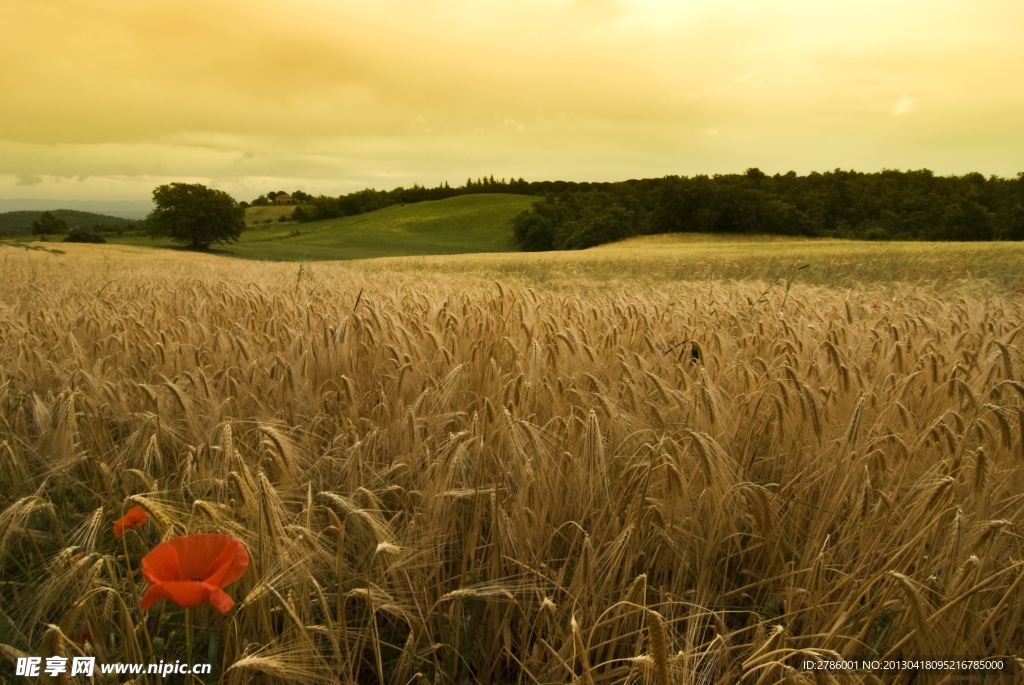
(653, 261)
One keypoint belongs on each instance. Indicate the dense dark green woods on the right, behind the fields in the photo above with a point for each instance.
(887, 205)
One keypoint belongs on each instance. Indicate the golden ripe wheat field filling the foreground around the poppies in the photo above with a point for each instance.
(444, 479)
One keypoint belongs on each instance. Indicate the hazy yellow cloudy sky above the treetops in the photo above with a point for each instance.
(108, 99)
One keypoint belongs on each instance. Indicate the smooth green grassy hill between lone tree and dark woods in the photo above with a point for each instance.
(457, 226)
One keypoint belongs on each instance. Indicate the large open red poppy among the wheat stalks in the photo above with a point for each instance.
(192, 570)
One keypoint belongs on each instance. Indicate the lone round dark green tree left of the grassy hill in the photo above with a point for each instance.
(195, 216)
